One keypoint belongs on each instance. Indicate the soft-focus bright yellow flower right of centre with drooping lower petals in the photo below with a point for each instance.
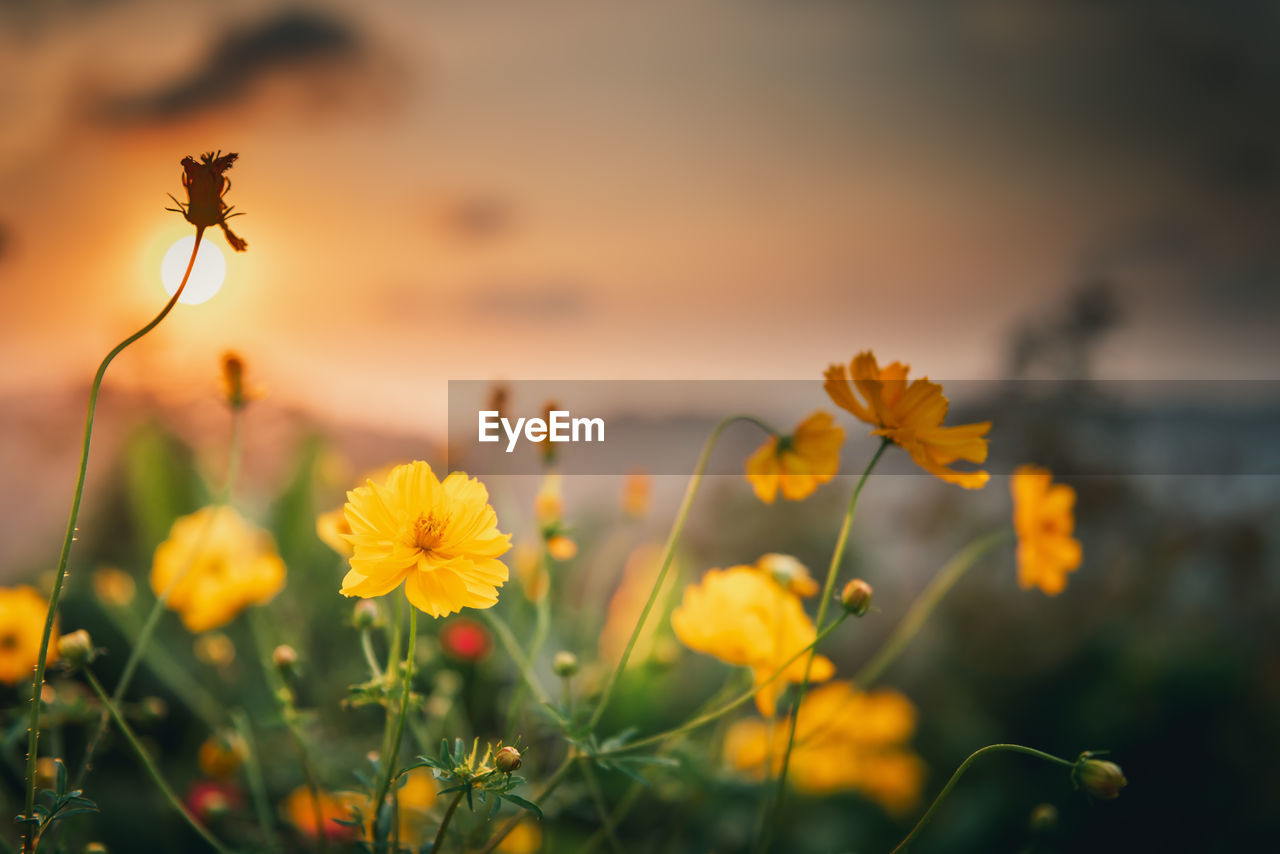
(744, 618)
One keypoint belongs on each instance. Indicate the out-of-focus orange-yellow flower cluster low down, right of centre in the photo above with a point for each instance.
(845, 741)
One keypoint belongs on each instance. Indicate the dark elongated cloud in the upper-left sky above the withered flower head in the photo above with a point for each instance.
(289, 40)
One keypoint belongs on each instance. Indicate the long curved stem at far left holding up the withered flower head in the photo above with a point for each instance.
(70, 537)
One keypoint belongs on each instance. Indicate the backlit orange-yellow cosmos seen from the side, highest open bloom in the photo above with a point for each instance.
(909, 415)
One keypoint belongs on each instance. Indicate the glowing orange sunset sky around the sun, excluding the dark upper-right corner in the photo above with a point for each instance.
(701, 190)
